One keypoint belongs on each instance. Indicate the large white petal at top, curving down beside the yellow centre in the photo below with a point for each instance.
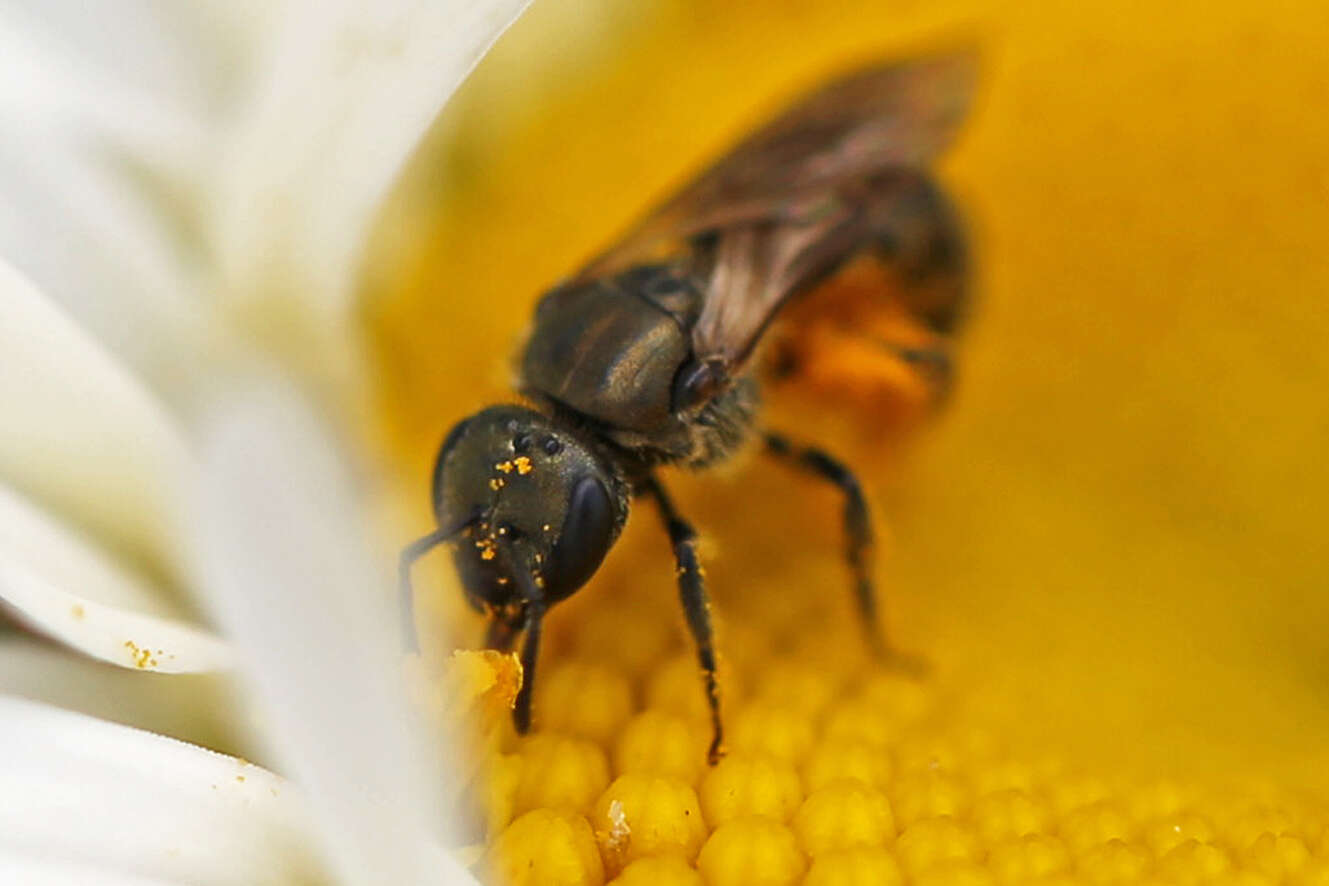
(348, 94)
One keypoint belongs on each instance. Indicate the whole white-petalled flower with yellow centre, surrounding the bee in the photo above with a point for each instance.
(251, 277)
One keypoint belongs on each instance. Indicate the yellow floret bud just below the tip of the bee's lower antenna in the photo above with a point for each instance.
(560, 771)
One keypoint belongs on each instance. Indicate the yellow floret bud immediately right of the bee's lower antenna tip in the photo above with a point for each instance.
(583, 699)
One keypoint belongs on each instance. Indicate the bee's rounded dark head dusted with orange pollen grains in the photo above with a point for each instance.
(542, 508)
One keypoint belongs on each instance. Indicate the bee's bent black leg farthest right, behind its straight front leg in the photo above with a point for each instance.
(859, 539)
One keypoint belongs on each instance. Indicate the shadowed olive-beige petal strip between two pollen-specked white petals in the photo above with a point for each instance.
(196, 709)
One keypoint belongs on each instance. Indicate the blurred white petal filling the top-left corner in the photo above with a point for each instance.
(102, 137)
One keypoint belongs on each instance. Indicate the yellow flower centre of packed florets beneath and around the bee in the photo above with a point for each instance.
(1108, 547)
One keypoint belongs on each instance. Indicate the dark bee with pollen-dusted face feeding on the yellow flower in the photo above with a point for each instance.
(648, 355)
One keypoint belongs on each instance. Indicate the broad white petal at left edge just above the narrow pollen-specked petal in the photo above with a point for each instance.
(82, 435)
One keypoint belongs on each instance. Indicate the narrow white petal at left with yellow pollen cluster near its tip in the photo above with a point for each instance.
(64, 588)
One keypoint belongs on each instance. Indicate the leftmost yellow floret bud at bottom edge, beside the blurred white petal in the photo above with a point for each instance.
(546, 848)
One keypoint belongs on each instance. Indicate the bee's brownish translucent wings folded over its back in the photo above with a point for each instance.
(793, 199)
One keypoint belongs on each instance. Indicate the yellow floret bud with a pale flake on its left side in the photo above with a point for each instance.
(643, 815)
